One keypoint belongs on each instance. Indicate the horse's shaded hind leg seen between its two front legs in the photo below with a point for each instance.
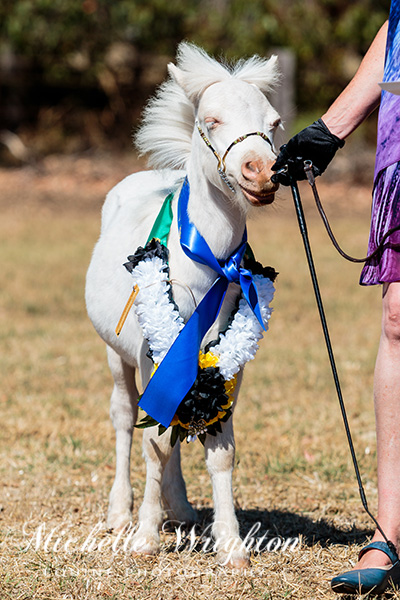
(173, 491)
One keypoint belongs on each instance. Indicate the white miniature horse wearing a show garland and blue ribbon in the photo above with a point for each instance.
(226, 102)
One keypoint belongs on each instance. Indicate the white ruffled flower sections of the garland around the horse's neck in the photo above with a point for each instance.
(161, 322)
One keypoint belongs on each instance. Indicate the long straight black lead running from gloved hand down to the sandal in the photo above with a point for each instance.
(307, 247)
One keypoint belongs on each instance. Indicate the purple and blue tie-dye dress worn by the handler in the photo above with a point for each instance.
(385, 267)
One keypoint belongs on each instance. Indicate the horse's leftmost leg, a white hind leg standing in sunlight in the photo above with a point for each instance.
(123, 414)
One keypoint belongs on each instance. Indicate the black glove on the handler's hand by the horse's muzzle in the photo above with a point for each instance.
(315, 143)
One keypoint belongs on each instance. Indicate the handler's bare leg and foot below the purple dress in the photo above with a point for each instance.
(387, 415)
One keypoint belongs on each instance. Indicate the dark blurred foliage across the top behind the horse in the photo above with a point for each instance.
(86, 66)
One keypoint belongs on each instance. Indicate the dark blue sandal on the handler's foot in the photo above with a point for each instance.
(374, 580)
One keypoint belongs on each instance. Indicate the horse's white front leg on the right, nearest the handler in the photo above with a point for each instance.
(220, 457)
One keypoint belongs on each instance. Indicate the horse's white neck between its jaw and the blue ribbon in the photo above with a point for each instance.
(219, 221)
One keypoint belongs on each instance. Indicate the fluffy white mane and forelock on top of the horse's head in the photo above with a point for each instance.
(166, 131)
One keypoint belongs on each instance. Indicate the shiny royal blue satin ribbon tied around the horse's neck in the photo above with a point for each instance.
(178, 370)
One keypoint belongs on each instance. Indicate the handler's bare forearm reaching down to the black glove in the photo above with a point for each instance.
(362, 95)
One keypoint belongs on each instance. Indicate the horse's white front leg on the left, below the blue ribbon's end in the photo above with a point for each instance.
(157, 451)
